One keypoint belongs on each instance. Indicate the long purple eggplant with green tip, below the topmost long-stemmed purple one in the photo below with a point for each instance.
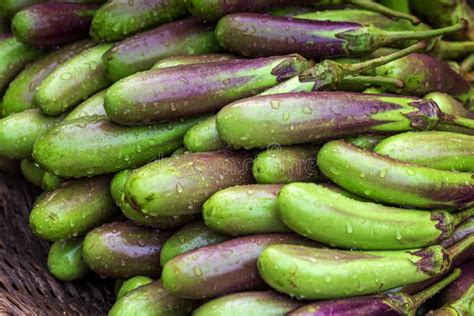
(171, 93)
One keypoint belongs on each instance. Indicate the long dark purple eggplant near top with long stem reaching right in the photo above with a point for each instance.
(257, 35)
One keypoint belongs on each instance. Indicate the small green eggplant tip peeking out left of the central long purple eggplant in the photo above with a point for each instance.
(204, 137)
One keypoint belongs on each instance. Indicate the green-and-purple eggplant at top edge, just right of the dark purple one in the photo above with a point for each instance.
(118, 19)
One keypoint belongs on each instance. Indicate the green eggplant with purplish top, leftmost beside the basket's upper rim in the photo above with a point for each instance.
(72, 209)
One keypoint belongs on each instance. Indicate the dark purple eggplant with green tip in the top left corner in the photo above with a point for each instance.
(48, 25)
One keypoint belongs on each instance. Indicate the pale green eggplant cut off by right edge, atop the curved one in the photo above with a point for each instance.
(434, 149)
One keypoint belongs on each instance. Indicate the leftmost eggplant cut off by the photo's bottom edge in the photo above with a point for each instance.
(152, 300)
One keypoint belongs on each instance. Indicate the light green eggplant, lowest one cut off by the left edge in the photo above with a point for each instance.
(19, 131)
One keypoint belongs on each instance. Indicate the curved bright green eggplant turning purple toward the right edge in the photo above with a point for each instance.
(391, 181)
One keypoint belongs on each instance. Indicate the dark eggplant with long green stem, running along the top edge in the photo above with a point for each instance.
(212, 10)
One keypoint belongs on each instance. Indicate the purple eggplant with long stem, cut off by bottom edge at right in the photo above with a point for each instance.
(382, 304)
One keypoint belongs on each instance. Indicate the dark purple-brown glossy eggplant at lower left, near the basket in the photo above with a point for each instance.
(123, 250)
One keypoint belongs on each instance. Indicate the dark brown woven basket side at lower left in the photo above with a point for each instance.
(26, 287)
